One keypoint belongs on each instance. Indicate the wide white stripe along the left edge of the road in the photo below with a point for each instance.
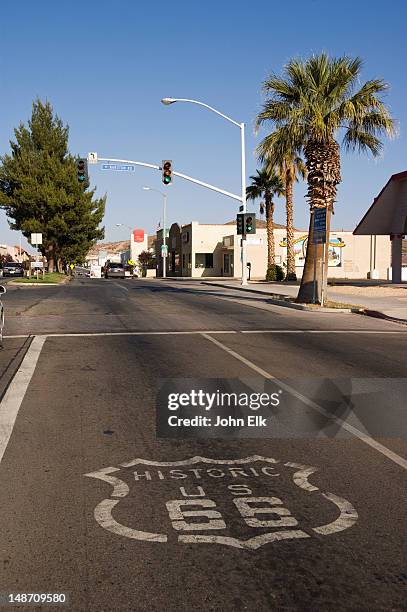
(14, 395)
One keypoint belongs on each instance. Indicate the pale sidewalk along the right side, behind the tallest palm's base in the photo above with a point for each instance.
(381, 299)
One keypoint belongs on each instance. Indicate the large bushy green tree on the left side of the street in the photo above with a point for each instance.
(40, 192)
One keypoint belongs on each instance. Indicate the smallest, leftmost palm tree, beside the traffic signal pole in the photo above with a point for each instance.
(266, 184)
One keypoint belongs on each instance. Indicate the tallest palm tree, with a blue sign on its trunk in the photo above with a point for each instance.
(310, 106)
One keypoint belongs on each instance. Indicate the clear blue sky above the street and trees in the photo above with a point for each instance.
(105, 66)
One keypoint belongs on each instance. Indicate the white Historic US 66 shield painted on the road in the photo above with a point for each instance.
(193, 507)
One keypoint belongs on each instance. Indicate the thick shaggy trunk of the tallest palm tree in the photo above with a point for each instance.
(323, 165)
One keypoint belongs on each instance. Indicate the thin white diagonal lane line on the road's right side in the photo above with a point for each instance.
(308, 402)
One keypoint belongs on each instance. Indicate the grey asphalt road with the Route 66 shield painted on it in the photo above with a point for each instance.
(307, 515)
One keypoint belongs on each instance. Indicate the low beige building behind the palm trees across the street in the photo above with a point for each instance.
(213, 250)
